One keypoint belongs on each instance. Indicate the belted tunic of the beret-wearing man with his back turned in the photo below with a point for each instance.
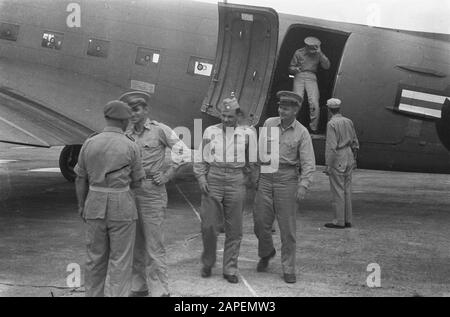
(110, 160)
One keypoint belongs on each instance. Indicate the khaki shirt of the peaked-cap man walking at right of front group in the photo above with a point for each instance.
(294, 147)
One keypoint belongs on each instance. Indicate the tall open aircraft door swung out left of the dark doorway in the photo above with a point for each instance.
(245, 58)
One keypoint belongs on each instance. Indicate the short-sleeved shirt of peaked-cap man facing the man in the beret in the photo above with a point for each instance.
(153, 141)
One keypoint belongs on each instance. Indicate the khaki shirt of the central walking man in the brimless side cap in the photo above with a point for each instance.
(233, 148)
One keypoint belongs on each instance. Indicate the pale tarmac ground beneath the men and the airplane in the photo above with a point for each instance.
(401, 226)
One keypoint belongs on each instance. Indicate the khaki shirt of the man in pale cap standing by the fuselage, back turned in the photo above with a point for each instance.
(340, 144)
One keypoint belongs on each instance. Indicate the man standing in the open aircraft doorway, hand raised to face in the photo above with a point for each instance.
(304, 66)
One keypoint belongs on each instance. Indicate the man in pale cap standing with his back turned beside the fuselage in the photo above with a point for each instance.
(340, 158)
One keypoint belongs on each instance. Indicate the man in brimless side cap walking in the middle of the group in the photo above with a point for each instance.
(223, 168)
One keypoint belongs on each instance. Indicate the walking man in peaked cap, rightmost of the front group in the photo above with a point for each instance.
(287, 141)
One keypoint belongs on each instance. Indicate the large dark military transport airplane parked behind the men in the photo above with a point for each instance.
(61, 61)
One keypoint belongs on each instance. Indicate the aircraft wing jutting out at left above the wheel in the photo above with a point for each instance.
(29, 122)
